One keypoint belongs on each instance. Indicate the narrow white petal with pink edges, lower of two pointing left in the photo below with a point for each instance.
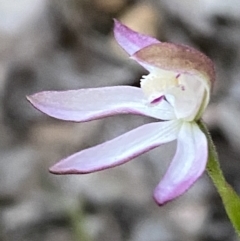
(119, 150)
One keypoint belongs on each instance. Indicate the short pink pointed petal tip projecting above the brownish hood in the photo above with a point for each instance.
(130, 40)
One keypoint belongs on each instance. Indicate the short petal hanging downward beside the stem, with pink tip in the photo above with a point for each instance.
(187, 166)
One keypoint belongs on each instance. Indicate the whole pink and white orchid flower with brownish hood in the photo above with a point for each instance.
(175, 92)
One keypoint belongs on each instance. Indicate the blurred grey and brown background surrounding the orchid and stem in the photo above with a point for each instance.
(68, 44)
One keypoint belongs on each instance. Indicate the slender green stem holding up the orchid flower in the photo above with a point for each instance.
(230, 198)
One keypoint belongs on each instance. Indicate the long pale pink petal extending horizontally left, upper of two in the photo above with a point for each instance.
(90, 104)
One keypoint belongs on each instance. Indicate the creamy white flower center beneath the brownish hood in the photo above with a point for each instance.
(184, 92)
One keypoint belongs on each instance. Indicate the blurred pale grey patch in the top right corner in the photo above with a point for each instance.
(201, 16)
